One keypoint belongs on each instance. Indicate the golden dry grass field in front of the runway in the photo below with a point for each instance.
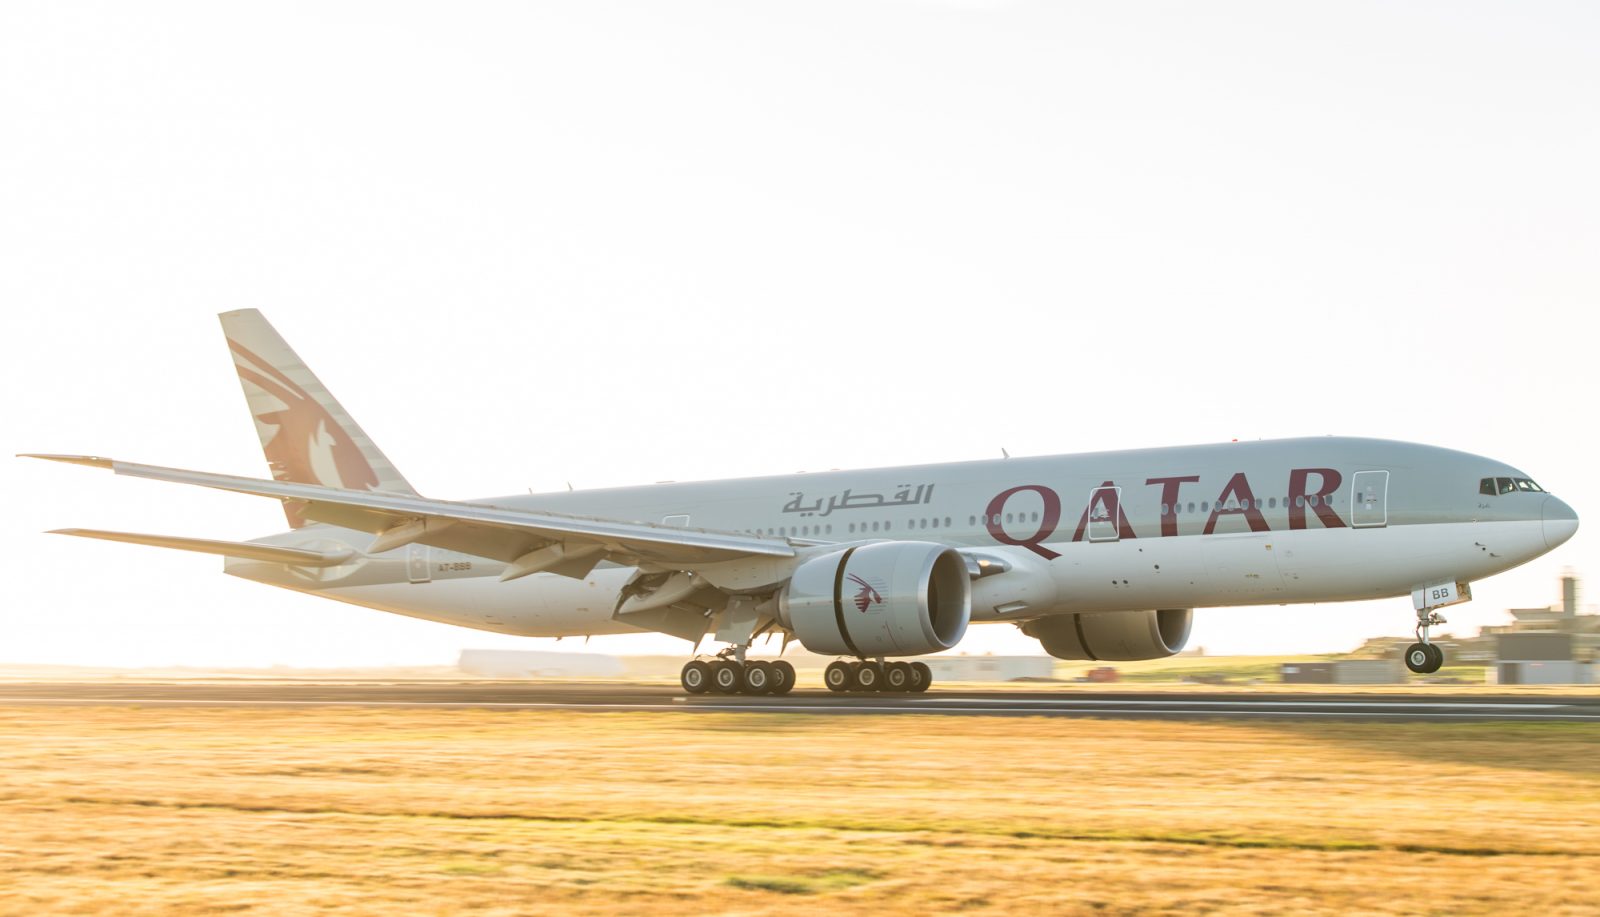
(490, 812)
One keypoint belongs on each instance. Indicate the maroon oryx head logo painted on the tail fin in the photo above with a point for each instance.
(310, 446)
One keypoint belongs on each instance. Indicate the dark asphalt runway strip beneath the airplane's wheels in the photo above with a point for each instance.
(951, 702)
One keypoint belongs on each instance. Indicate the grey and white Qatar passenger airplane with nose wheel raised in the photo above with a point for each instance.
(1100, 556)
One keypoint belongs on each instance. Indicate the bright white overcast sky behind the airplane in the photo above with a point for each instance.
(623, 242)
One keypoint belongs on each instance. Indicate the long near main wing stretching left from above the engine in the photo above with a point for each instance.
(529, 542)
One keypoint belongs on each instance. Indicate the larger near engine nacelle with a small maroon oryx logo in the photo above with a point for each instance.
(882, 599)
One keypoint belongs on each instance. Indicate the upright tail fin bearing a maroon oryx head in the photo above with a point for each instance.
(305, 431)
